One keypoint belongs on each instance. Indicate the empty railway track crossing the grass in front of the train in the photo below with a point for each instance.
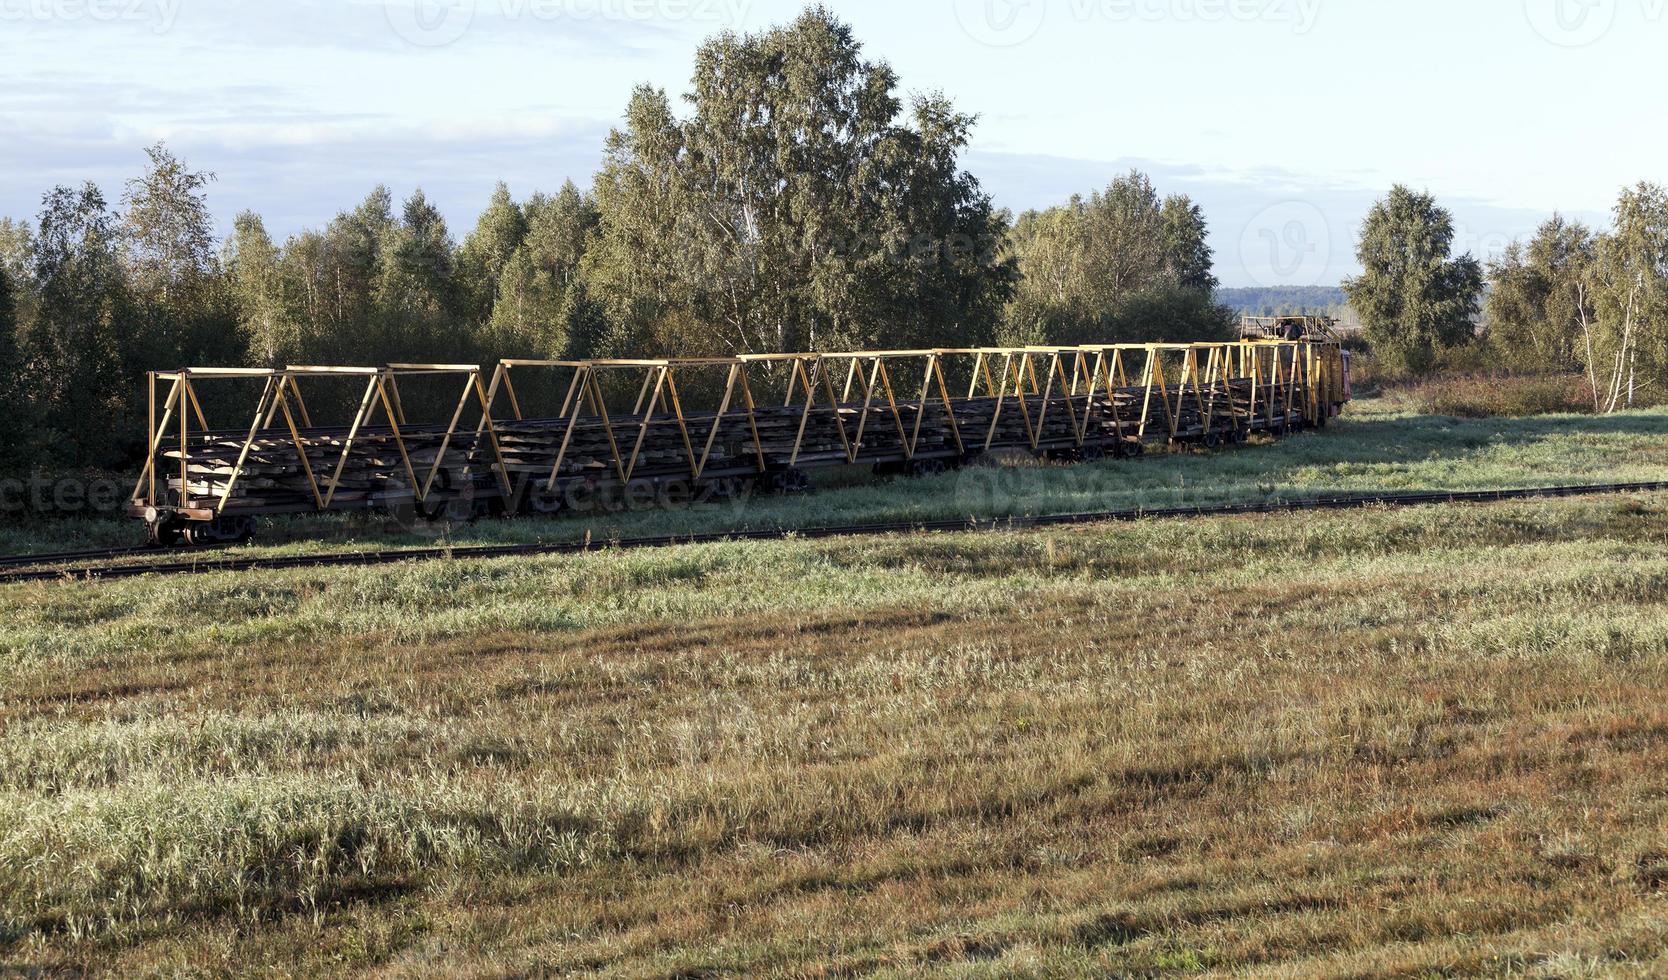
(34, 567)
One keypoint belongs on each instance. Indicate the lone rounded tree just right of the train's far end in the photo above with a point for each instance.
(1412, 296)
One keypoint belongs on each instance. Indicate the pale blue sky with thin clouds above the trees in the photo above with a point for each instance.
(1285, 119)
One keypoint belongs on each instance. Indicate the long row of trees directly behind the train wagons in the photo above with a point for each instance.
(800, 202)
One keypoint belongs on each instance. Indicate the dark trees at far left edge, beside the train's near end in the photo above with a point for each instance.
(99, 297)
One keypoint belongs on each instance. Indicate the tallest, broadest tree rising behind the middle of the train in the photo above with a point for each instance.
(795, 209)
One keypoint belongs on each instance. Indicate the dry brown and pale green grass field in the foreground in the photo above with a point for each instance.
(1419, 742)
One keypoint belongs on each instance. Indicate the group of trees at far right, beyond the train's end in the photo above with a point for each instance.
(1570, 299)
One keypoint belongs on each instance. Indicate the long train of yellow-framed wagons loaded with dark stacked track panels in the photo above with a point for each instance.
(625, 426)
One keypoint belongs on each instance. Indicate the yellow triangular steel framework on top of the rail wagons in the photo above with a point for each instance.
(1225, 387)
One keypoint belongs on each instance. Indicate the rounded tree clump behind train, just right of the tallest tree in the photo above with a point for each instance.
(1122, 266)
